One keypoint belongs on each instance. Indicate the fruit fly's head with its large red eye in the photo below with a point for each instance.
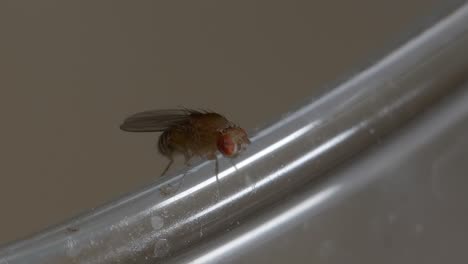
(232, 140)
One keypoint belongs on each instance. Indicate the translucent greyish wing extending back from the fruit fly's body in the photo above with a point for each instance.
(156, 120)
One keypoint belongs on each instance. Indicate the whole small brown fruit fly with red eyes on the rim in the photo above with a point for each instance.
(190, 133)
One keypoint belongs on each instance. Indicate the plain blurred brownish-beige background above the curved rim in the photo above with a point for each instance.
(72, 70)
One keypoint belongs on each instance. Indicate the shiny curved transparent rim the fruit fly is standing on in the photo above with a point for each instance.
(148, 226)
